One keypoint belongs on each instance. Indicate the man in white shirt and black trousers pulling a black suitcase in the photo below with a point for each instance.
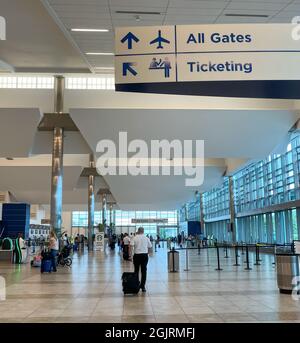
(141, 245)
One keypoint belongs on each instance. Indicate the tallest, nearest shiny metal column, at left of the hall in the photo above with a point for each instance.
(57, 160)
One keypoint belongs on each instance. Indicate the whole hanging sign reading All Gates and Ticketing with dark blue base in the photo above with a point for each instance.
(240, 60)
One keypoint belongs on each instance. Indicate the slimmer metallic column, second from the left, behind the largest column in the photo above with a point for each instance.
(91, 204)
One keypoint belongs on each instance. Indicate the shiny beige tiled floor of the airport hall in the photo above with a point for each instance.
(91, 292)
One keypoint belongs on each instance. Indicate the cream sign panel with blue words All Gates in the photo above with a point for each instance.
(235, 37)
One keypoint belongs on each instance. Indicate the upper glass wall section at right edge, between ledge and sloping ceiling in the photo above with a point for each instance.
(272, 181)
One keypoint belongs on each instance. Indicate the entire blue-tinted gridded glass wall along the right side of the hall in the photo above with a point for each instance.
(259, 187)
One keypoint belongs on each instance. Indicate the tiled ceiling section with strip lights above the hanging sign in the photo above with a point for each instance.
(104, 14)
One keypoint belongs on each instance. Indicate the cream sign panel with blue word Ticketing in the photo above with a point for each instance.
(236, 66)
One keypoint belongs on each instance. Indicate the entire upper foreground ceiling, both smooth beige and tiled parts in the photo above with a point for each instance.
(39, 36)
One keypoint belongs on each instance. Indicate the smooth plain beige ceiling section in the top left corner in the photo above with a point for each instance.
(34, 42)
